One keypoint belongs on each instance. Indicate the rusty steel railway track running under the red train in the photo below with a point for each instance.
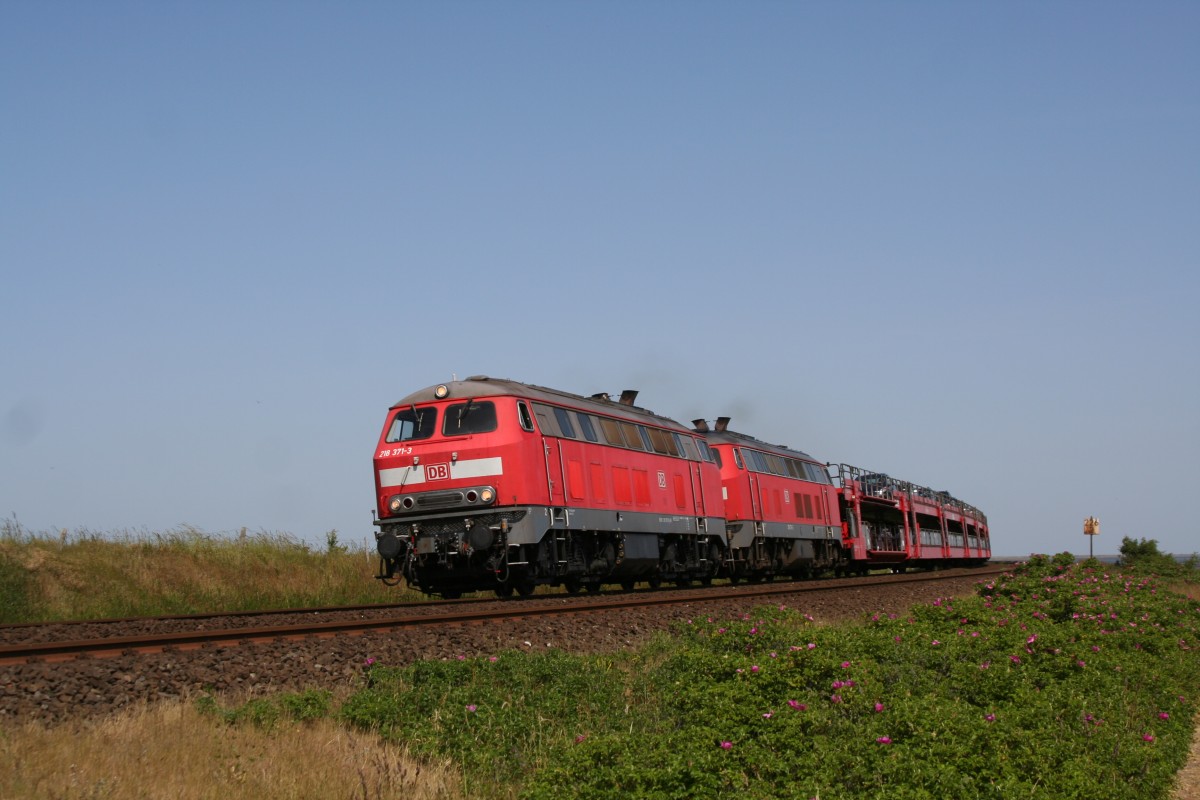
(353, 621)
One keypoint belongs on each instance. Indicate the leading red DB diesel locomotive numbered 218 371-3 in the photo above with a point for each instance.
(489, 484)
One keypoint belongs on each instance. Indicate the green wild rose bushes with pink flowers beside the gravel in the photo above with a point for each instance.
(1054, 682)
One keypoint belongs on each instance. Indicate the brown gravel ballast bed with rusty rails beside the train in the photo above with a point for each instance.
(331, 654)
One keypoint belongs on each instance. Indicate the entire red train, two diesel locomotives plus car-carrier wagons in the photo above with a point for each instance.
(487, 484)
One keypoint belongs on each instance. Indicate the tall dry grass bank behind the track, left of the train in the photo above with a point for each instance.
(86, 575)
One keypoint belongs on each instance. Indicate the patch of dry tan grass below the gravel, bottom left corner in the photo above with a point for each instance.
(175, 751)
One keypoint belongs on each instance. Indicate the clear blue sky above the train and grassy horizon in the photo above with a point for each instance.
(956, 243)
